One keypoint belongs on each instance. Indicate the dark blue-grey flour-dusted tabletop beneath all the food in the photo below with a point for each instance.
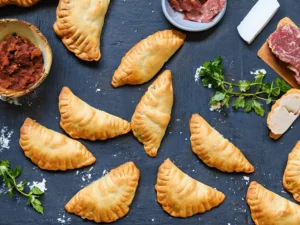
(127, 22)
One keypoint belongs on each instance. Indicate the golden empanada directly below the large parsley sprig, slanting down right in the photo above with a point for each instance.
(214, 150)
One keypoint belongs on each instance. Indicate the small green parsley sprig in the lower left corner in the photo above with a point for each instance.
(9, 179)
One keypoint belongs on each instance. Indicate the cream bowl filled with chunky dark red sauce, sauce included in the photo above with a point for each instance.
(25, 58)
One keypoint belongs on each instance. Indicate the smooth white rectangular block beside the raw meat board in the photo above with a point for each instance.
(258, 17)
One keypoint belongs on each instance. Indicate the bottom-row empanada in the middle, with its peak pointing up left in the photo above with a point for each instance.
(181, 195)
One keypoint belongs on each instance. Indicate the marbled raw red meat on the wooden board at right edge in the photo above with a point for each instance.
(285, 44)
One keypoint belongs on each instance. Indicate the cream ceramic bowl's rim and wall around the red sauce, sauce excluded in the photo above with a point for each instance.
(29, 31)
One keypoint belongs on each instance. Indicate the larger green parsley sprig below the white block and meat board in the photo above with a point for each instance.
(247, 95)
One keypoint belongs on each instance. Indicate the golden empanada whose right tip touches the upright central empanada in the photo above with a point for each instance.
(81, 120)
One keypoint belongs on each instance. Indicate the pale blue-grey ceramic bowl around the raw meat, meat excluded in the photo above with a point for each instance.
(176, 18)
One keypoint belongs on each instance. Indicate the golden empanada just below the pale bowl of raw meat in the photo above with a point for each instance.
(147, 57)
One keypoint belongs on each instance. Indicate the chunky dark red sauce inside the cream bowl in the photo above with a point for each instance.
(21, 63)
